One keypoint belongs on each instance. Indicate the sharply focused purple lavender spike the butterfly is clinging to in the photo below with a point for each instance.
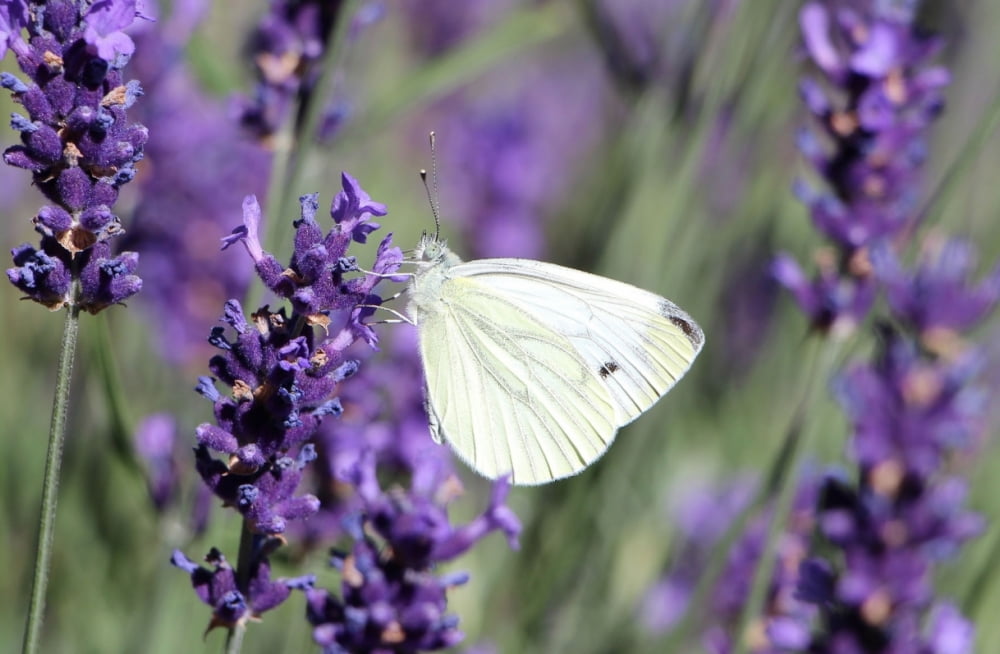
(282, 374)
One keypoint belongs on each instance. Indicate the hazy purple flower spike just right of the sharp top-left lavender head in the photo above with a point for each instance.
(201, 166)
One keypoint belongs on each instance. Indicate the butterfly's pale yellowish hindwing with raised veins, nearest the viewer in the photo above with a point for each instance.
(508, 392)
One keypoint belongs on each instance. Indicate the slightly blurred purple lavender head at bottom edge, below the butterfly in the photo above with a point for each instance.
(390, 598)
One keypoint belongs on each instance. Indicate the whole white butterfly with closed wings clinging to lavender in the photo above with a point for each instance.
(531, 368)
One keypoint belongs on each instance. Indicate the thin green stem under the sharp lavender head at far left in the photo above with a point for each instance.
(50, 483)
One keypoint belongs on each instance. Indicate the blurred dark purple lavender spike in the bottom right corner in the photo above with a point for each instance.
(909, 411)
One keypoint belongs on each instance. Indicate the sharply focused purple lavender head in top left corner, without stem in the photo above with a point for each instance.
(80, 148)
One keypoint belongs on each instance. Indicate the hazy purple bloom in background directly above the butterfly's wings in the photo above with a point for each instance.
(519, 148)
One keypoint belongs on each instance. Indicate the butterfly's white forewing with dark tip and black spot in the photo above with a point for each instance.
(636, 343)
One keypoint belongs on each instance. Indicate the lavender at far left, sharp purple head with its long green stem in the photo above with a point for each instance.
(80, 147)
